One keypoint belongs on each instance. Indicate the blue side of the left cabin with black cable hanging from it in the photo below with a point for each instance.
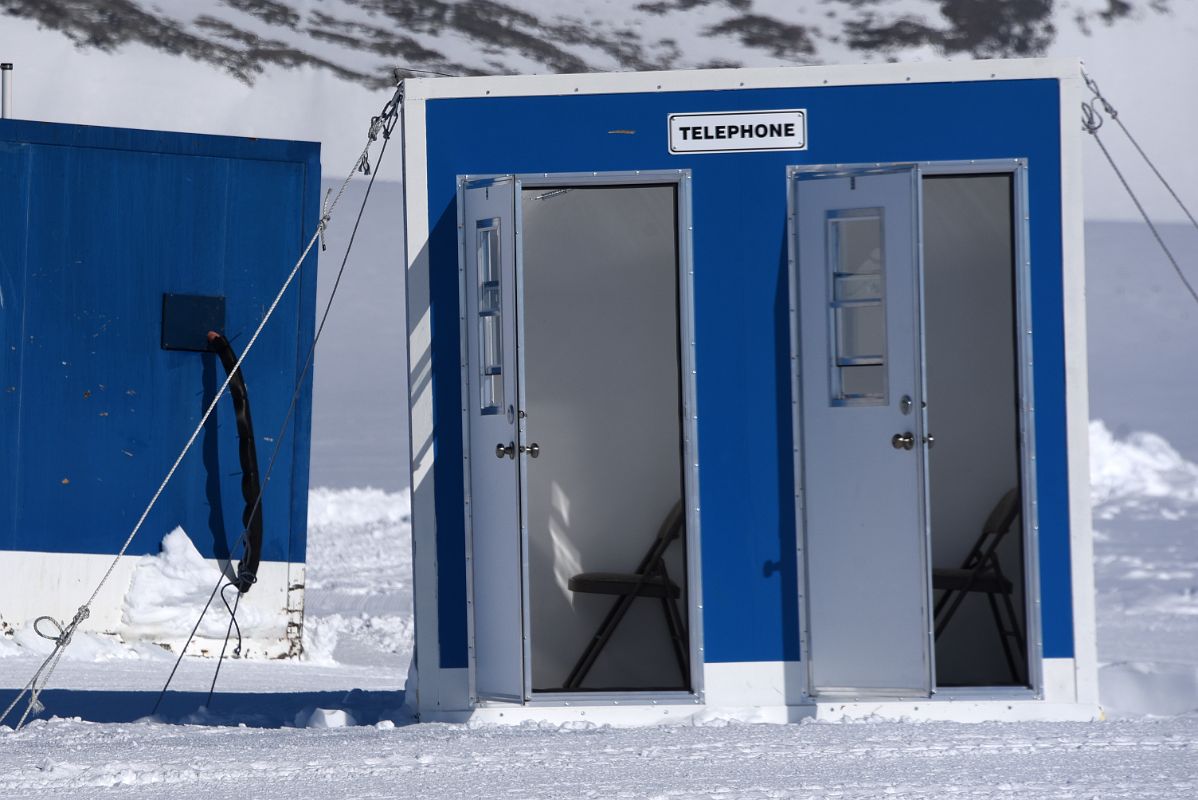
(96, 225)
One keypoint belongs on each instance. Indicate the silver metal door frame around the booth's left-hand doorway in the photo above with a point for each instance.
(682, 180)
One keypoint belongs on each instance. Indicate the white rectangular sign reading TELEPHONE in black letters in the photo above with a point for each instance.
(724, 132)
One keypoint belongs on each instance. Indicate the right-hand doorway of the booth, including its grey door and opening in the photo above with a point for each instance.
(911, 428)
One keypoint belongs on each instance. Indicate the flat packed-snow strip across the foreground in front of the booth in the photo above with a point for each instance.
(1021, 762)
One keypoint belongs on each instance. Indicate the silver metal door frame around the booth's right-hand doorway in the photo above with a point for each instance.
(1022, 256)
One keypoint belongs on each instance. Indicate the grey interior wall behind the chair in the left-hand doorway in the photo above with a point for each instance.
(601, 361)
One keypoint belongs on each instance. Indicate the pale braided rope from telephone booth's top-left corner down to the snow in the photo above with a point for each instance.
(37, 684)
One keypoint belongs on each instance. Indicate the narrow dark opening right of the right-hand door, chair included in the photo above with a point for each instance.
(973, 411)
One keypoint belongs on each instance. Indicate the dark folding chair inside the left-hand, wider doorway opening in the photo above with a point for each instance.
(651, 580)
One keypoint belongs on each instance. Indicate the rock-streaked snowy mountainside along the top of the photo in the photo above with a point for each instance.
(362, 40)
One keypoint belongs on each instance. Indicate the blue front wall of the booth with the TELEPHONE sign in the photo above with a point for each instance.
(751, 599)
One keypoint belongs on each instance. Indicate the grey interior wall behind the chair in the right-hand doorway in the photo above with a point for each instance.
(972, 399)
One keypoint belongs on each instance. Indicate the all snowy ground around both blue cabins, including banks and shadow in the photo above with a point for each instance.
(332, 724)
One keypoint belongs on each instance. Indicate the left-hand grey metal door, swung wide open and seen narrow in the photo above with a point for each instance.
(488, 237)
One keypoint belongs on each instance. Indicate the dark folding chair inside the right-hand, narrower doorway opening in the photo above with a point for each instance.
(983, 573)
